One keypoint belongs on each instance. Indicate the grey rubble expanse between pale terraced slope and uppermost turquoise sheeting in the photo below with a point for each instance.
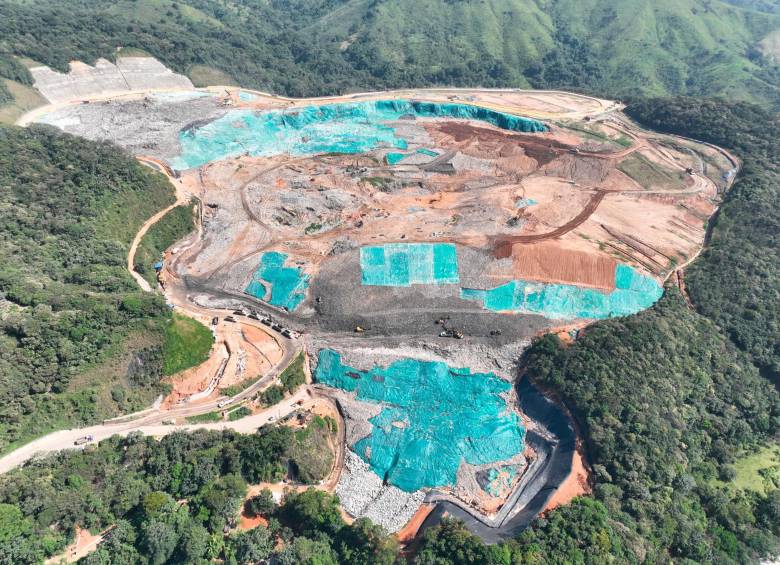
(148, 125)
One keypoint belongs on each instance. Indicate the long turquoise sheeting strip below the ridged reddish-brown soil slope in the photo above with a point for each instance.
(633, 292)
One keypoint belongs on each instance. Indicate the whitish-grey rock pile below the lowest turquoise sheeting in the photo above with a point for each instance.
(362, 494)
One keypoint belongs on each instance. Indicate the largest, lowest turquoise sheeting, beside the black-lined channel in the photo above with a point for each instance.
(433, 418)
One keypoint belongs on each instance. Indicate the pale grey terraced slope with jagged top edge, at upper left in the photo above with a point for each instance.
(127, 75)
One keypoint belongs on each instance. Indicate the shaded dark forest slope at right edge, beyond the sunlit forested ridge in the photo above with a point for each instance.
(736, 283)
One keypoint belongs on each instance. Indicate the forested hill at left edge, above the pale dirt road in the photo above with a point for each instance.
(78, 340)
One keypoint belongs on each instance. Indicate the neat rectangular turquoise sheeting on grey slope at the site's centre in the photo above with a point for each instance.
(404, 264)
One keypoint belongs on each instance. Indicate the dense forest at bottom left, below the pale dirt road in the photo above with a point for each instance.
(179, 500)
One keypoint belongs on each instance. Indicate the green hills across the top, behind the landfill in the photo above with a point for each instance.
(312, 47)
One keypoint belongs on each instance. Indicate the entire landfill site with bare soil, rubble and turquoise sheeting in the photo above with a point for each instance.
(415, 242)
